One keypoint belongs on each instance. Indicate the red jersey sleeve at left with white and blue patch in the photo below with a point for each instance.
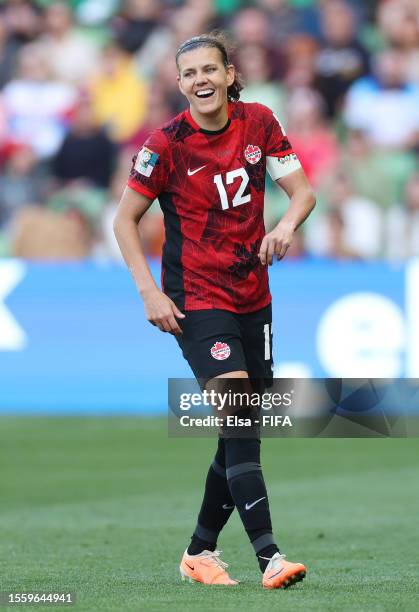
(151, 166)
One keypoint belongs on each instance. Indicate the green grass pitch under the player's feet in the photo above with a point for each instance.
(104, 507)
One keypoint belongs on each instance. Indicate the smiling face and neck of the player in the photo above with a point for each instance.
(204, 80)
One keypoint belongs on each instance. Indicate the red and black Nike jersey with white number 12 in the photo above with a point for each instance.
(211, 188)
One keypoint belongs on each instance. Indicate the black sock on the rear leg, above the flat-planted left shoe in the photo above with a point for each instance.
(216, 507)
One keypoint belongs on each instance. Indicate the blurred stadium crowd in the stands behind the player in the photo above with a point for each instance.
(83, 82)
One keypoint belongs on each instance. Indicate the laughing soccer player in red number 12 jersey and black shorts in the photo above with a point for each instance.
(207, 167)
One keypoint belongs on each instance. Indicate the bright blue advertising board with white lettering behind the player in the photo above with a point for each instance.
(74, 339)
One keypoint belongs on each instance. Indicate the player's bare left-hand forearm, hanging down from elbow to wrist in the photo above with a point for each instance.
(126, 232)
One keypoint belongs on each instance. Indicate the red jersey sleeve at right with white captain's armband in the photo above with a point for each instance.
(280, 157)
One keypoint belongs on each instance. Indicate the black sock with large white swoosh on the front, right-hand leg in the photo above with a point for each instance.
(248, 490)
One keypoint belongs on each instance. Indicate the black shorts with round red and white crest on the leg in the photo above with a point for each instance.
(215, 342)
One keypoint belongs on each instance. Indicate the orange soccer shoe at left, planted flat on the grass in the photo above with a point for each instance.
(206, 567)
